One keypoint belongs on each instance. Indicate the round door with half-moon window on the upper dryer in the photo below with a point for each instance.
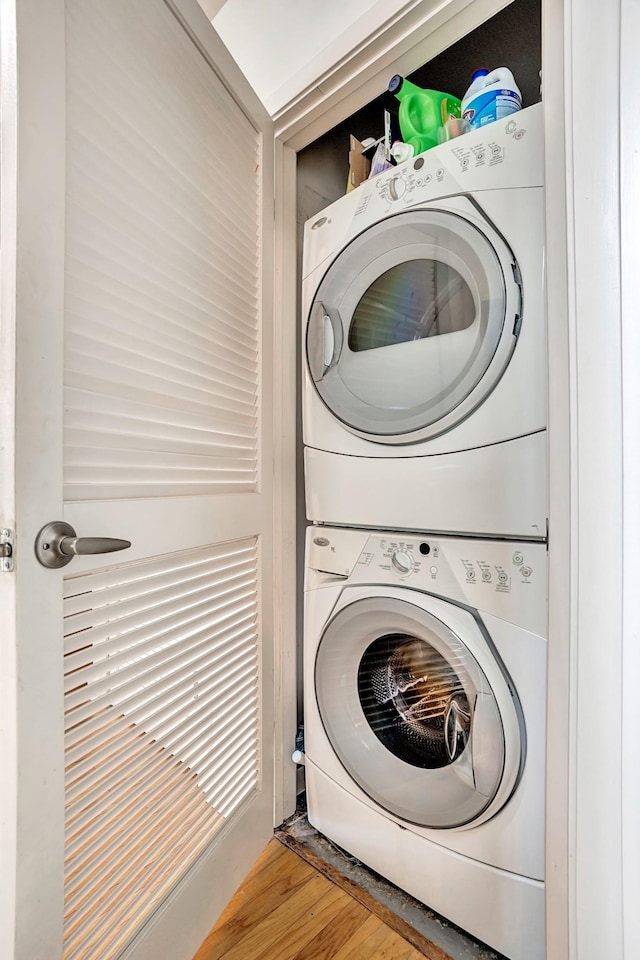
(412, 325)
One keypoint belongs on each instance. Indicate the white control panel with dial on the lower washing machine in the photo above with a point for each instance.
(505, 578)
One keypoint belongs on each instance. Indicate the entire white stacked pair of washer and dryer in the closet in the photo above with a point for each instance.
(424, 412)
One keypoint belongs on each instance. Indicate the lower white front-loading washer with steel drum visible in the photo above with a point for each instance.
(425, 720)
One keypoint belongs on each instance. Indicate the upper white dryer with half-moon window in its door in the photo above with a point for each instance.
(424, 388)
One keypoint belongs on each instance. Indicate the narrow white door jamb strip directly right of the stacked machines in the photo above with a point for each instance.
(560, 866)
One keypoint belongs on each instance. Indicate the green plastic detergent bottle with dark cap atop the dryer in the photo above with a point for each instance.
(422, 112)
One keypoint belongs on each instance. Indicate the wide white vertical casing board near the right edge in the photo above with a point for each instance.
(596, 325)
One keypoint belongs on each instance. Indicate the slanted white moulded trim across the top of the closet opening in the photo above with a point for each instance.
(404, 43)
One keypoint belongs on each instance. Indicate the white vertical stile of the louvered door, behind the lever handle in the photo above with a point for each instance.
(32, 306)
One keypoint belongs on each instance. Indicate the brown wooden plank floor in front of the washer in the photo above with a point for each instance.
(287, 910)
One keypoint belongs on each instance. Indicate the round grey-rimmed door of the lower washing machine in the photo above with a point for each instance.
(413, 717)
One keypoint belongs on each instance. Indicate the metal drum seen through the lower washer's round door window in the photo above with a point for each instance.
(414, 701)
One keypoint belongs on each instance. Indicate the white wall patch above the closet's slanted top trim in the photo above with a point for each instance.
(284, 46)
